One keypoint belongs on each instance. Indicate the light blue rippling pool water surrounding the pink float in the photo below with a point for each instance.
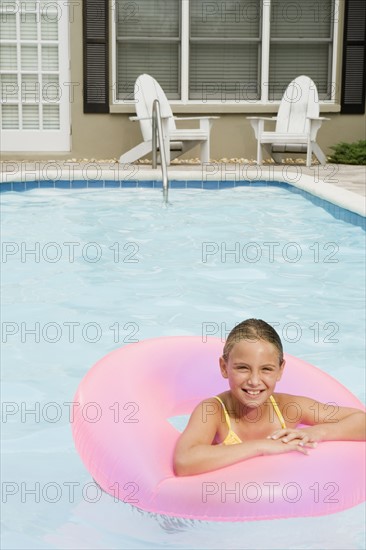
(86, 271)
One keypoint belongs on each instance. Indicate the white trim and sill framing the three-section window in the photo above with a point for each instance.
(264, 105)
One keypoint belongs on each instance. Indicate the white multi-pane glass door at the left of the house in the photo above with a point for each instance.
(34, 72)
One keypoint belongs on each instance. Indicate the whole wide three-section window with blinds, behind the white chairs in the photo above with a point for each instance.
(225, 50)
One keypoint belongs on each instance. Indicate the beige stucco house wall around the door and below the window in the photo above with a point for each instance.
(98, 136)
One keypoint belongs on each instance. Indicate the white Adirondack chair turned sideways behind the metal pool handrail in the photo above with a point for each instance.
(177, 141)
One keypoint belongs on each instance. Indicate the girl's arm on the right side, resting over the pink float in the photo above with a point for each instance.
(326, 421)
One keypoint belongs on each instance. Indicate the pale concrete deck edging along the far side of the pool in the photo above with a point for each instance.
(343, 185)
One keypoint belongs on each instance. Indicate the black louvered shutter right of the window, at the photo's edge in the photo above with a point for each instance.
(354, 58)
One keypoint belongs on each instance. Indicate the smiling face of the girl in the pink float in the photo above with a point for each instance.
(253, 368)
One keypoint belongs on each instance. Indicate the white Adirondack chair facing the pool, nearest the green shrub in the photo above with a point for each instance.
(297, 124)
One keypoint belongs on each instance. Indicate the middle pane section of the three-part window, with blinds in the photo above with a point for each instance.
(224, 49)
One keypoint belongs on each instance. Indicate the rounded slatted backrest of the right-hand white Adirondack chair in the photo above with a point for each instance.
(299, 101)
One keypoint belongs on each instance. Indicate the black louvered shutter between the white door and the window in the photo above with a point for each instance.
(95, 56)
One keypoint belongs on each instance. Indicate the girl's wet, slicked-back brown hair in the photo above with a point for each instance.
(253, 329)
